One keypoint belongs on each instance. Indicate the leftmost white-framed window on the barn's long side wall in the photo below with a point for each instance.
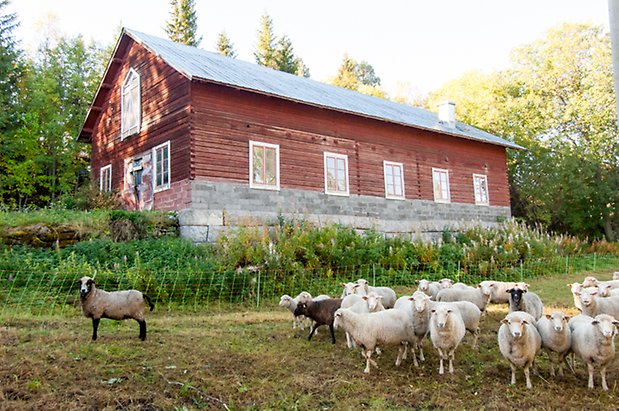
(263, 165)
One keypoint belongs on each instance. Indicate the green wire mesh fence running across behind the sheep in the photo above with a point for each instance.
(56, 292)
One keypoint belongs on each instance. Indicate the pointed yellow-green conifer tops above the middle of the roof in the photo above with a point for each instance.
(277, 53)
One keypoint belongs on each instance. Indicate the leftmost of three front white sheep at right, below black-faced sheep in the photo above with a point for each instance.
(519, 342)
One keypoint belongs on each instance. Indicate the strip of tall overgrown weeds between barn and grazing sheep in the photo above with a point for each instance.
(258, 264)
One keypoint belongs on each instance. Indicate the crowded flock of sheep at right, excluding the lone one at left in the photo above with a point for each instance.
(374, 318)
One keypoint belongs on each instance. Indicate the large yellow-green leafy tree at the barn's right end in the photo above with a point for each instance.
(557, 100)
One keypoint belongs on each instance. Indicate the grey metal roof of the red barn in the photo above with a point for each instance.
(196, 63)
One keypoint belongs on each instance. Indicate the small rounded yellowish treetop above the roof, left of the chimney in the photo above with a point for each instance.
(358, 76)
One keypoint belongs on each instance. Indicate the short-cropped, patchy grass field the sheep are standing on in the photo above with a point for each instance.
(250, 359)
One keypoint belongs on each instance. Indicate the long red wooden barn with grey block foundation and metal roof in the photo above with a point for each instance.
(228, 143)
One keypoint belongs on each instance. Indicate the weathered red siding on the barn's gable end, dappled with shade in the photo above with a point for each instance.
(165, 95)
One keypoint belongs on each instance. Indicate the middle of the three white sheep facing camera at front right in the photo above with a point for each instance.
(556, 338)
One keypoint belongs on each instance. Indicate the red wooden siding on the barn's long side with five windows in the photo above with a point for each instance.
(225, 119)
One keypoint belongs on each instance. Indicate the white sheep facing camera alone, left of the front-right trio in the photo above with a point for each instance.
(446, 332)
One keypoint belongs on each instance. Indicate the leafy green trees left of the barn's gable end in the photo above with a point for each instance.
(41, 159)
